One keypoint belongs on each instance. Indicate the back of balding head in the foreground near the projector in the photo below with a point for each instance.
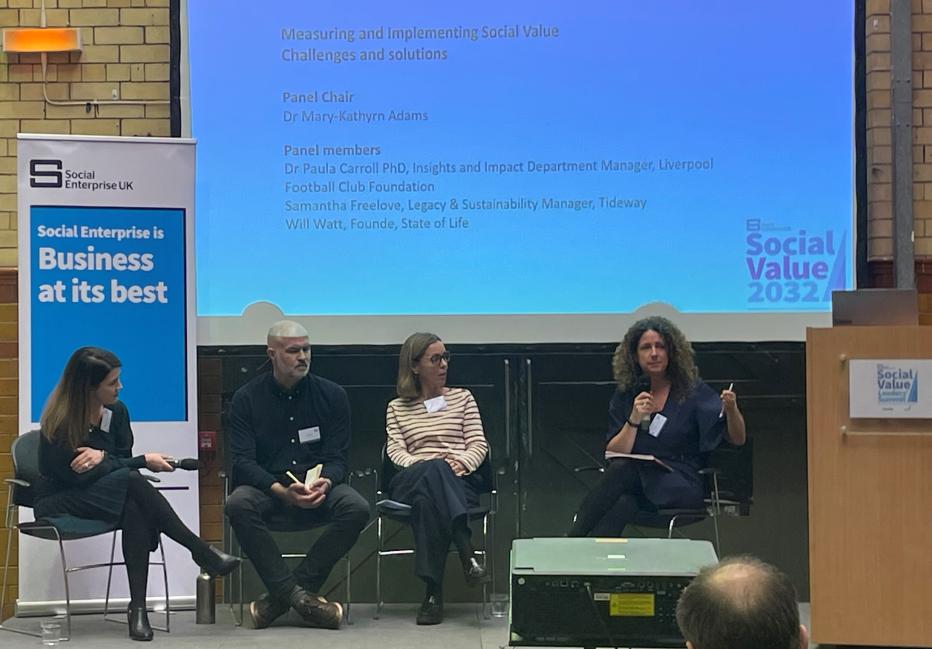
(741, 603)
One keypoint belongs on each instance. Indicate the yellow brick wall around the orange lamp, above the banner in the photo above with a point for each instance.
(126, 51)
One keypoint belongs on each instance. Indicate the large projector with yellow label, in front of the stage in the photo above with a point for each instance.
(572, 592)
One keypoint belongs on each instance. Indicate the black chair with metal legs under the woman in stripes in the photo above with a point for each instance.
(387, 509)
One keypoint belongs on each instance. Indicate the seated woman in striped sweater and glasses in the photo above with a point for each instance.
(435, 438)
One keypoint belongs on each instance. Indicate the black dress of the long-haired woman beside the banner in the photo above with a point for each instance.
(97, 495)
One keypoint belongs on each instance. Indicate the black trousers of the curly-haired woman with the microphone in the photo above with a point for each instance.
(613, 503)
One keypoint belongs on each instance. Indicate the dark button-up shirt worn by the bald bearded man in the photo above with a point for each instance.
(268, 425)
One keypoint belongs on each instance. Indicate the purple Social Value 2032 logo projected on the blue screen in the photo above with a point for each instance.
(793, 267)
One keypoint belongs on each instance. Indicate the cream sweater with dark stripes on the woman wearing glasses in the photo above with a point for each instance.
(456, 431)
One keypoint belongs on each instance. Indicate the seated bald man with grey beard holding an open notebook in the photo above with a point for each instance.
(288, 421)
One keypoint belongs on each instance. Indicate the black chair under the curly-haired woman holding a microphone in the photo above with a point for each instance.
(728, 466)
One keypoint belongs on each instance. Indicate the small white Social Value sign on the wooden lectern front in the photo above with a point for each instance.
(895, 388)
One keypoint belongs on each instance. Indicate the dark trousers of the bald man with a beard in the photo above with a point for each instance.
(254, 515)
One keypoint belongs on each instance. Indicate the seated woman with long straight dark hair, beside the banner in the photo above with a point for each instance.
(85, 454)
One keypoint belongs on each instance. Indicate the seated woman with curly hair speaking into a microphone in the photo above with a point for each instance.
(660, 408)
